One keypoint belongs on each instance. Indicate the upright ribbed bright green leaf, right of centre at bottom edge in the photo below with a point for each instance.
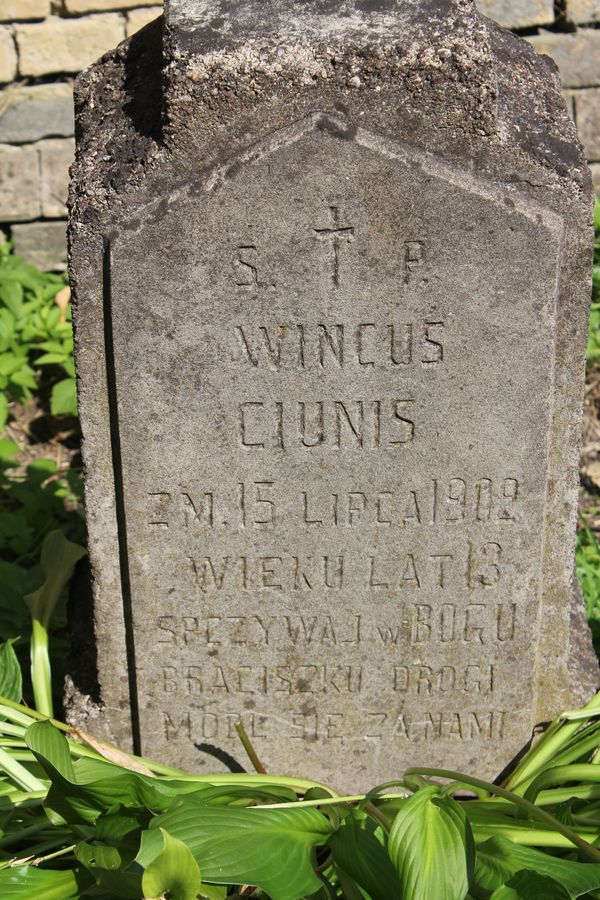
(431, 846)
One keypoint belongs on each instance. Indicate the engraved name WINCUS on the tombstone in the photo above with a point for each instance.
(330, 346)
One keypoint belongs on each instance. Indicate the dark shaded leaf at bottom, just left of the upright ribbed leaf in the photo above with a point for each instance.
(357, 851)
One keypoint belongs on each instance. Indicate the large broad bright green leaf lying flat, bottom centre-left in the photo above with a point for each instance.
(271, 848)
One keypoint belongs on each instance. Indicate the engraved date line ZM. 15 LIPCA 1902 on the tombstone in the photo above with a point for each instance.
(266, 504)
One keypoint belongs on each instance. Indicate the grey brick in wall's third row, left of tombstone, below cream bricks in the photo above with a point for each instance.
(30, 113)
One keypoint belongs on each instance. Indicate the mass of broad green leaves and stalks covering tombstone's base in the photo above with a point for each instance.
(75, 824)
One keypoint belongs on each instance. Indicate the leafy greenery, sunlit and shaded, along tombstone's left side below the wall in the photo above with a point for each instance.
(36, 358)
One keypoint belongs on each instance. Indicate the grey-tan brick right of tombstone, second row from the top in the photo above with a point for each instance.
(576, 55)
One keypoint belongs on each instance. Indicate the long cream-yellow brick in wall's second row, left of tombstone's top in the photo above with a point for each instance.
(66, 45)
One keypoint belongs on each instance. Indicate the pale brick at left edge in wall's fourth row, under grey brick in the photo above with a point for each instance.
(19, 183)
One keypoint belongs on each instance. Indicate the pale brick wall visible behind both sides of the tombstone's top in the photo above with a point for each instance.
(44, 43)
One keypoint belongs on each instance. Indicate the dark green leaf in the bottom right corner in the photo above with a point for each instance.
(498, 859)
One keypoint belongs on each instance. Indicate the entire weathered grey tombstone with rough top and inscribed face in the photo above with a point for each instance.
(330, 262)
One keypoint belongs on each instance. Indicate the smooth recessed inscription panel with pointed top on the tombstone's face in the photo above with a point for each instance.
(338, 526)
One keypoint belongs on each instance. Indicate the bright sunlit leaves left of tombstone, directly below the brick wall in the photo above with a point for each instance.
(34, 332)
